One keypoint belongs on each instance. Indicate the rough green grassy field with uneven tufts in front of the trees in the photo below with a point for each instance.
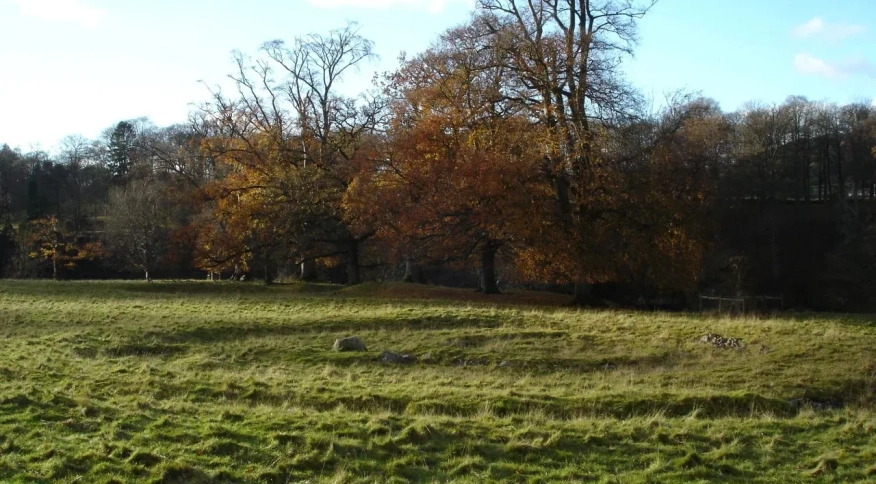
(201, 382)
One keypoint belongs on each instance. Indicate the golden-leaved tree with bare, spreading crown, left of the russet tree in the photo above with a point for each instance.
(292, 144)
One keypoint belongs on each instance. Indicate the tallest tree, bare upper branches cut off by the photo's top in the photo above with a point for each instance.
(565, 58)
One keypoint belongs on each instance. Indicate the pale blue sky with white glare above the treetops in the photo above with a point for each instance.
(79, 66)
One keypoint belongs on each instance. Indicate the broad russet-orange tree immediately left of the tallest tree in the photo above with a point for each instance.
(456, 180)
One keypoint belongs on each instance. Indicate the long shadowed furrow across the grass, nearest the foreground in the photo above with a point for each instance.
(621, 406)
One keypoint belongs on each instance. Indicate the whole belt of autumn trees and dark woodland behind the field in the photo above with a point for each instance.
(511, 153)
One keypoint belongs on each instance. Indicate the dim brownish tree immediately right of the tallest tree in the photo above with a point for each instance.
(669, 180)
